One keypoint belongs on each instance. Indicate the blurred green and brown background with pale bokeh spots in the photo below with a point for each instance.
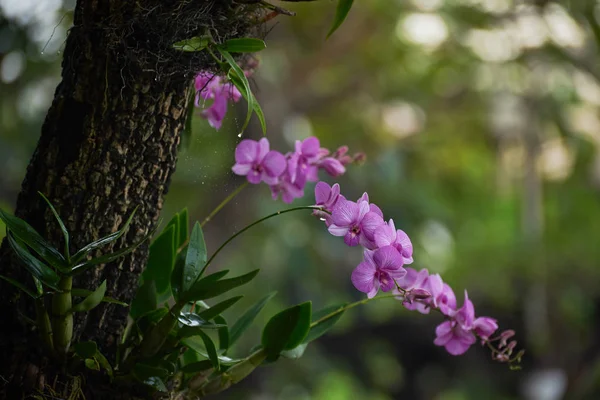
(480, 120)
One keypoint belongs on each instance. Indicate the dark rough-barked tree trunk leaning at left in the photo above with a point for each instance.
(108, 145)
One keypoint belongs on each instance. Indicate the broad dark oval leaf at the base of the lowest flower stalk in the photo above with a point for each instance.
(286, 330)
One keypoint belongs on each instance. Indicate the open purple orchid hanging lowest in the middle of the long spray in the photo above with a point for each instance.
(379, 269)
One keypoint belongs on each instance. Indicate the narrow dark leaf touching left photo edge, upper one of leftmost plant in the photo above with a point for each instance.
(26, 234)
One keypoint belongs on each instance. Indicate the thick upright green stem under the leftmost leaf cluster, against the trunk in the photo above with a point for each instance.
(62, 317)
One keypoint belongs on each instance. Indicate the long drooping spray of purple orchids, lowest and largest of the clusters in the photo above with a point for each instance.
(386, 252)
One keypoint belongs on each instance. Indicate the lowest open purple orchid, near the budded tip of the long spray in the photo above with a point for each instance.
(455, 335)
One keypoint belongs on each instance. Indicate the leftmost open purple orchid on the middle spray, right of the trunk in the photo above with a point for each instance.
(257, 163)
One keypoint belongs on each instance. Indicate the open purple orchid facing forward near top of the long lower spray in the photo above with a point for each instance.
(356, 222)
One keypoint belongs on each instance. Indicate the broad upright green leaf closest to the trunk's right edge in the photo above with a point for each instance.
(161, 259)
